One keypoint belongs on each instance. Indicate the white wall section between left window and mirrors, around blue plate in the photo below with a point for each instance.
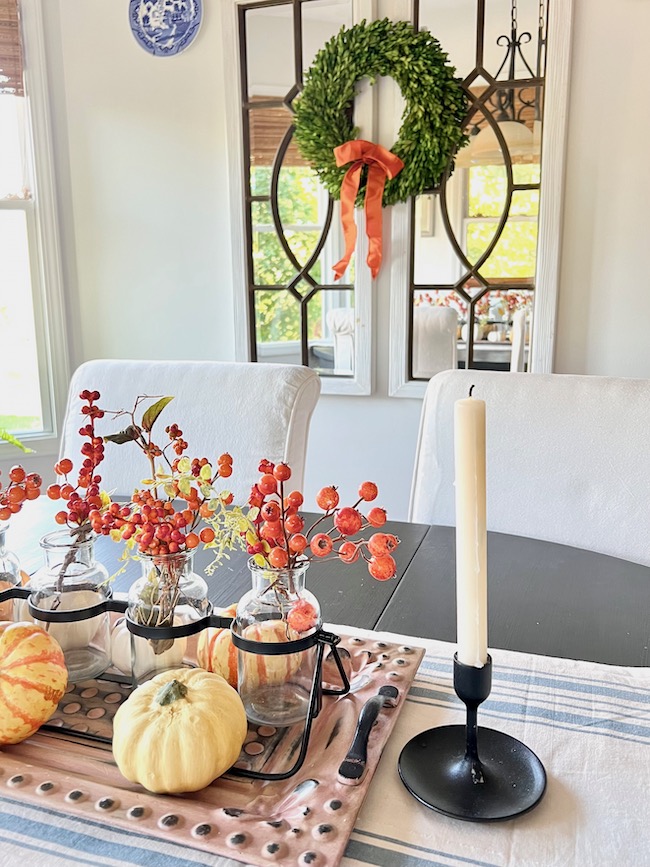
(142, 142)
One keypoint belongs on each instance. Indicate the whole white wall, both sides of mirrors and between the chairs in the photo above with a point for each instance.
(144, 204)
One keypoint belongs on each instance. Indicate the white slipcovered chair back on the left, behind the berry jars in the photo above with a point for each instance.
(253, 411)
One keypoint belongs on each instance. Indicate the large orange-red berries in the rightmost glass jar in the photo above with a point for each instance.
(279, 534)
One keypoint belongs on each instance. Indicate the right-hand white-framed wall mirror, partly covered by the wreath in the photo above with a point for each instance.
(479, 279)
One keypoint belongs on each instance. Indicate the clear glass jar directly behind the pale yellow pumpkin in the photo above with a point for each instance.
(169, 593)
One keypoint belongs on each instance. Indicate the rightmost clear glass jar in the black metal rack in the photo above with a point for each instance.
(275, 689)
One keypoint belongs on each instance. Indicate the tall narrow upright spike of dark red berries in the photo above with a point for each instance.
(84, 497)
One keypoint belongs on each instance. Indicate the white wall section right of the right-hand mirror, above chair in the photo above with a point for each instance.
(604, 318)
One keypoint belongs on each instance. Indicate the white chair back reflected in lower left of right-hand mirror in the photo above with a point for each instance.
(435, 344)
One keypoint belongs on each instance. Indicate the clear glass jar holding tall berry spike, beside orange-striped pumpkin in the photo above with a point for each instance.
(72, 580)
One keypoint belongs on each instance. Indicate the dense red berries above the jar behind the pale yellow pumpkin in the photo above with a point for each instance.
(156, 526)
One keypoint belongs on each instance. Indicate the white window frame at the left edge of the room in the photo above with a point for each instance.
(43, 238)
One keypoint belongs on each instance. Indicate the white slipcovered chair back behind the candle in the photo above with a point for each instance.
(567, 458)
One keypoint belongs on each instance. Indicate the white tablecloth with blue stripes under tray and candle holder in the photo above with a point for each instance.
(588, 723)
